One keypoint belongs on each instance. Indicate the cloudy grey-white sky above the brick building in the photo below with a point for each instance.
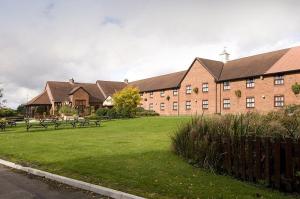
(44, 40)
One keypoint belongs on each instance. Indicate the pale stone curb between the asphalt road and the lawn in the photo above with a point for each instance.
(72, 182)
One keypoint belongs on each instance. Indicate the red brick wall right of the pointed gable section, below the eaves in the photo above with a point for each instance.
(264, 92)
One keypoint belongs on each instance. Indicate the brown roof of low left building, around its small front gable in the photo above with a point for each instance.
(61, 90)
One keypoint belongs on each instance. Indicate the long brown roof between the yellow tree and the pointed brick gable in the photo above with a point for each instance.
(161, 82)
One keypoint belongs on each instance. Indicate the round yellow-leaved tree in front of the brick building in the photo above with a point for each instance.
(126, 101)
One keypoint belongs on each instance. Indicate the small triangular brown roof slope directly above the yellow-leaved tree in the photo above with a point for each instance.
(108, 88)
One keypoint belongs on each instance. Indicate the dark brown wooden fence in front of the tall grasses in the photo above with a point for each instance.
(275, 162)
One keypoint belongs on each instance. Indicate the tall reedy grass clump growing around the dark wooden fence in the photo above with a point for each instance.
(197, 140)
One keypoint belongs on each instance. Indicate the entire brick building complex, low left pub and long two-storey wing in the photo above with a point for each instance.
(261, 82)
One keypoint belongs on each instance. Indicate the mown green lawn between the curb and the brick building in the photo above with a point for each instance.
(128, 155)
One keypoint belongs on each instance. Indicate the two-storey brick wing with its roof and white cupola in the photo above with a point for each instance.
(261, 82)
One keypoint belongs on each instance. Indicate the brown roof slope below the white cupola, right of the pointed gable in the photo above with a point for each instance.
(251, 66)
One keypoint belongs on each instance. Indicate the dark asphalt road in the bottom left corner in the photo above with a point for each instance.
(17, 185)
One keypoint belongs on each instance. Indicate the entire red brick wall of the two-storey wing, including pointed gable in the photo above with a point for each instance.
(263, 92)
